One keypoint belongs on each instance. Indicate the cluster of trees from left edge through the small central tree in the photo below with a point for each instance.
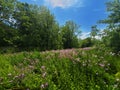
(26, 26)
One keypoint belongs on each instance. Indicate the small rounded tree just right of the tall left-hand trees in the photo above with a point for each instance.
(69, 32)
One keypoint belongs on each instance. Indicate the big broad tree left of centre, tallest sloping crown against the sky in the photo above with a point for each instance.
(37, 27)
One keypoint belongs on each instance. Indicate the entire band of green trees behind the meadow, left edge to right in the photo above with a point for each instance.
(26, 26)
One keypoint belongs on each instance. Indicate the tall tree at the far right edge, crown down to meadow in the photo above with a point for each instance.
(112, 36)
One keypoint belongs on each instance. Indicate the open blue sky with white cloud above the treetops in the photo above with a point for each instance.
(83, 12)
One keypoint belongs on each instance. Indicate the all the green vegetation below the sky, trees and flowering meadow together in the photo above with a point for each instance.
(26, 29)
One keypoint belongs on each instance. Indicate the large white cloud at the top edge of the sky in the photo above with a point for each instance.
(64, 3)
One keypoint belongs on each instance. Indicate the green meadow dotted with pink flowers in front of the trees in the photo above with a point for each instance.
(71, 69)
